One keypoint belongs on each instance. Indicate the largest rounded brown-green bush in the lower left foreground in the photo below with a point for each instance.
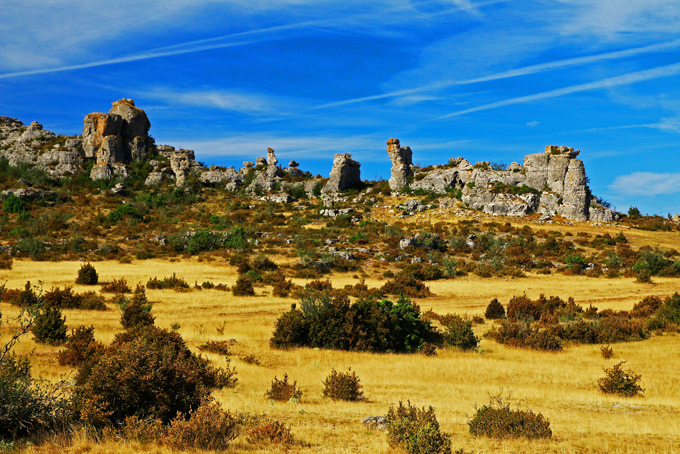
(146, 372)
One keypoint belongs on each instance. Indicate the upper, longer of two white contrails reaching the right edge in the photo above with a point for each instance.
(527, 70)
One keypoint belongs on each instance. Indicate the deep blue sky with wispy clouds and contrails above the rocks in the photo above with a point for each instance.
(488, 80)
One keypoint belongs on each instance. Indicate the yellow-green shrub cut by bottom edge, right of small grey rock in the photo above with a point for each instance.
(416, 430)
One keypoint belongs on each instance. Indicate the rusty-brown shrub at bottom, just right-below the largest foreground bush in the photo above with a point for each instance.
(207, 427)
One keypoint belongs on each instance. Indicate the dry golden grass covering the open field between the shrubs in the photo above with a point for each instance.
(562, 385)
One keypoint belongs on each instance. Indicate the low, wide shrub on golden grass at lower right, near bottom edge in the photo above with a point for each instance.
(498, 420)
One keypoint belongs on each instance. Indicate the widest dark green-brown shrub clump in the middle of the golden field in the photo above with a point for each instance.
(367, 325)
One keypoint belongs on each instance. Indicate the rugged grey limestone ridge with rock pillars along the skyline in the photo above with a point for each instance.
(550, 183)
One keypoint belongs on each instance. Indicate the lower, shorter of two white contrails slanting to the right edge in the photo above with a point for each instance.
(625, 79)
